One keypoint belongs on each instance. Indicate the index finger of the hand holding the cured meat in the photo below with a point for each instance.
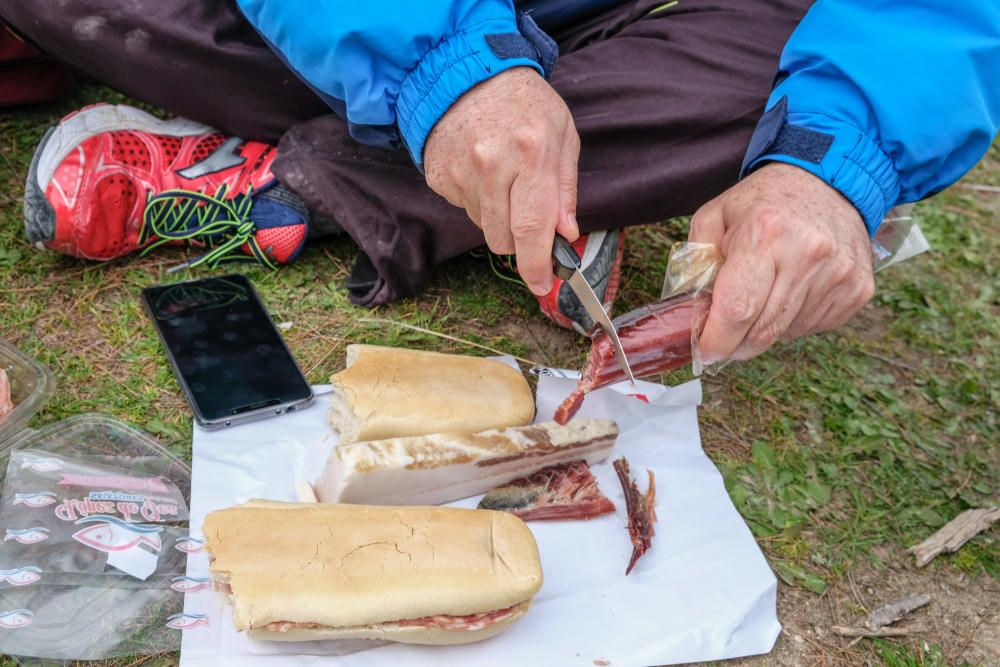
(739, 295)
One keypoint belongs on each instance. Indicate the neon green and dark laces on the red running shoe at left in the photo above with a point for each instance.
(223, 225)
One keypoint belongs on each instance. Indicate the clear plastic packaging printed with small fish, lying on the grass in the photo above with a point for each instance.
(94, 544)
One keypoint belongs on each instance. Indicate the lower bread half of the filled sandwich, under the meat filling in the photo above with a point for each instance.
(396, 633)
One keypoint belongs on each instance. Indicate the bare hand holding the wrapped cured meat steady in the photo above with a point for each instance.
(798, 261)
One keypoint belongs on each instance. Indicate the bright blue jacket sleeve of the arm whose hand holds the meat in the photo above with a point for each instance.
(887, 101)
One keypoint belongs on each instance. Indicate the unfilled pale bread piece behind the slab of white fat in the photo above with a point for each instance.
(388, 392)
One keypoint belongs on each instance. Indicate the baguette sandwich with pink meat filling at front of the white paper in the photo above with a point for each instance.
(419, 575)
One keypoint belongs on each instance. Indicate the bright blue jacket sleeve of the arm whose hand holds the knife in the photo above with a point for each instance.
(392, 69)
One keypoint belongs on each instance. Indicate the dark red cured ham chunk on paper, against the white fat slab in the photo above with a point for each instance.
(564, 491)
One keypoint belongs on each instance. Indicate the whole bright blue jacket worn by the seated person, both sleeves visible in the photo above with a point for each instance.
(888, 101)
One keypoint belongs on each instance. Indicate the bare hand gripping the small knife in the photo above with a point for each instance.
(507, 152)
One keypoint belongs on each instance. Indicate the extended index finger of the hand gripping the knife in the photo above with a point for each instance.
(534, 209)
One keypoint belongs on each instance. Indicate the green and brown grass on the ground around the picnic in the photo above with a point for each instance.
(839, 450)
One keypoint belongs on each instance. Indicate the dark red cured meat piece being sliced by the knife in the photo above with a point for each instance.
(656, 339)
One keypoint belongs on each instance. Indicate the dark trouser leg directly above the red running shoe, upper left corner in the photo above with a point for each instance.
(199, 59)
